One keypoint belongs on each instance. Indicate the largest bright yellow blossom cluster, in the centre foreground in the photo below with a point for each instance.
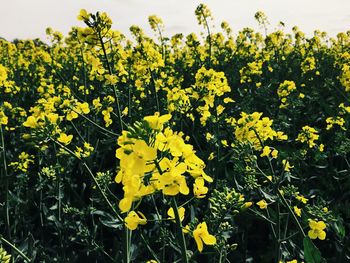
(161, 163)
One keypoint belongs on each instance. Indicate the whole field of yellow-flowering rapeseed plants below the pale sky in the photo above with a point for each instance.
(219, 148)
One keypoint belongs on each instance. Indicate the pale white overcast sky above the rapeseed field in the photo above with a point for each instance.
(25, 19)
